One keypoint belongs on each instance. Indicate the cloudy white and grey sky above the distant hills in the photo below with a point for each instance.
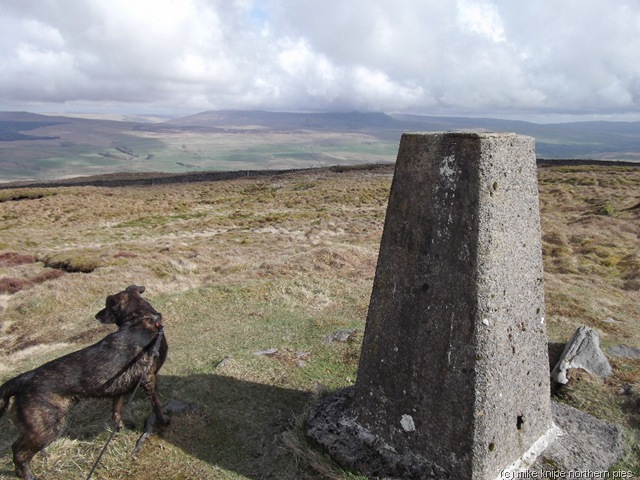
(532, 59)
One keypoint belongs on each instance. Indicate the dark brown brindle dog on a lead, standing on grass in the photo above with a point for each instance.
(111, 368)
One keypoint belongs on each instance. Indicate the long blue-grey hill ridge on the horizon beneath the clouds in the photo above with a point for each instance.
(607, 140)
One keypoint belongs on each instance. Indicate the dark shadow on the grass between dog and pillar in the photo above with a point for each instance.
(236, 424)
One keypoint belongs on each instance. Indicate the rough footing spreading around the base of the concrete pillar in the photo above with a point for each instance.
(582, 443)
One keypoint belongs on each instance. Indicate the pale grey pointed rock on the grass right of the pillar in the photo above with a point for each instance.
(582, 351)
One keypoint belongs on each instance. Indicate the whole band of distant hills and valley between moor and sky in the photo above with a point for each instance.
(45, 147)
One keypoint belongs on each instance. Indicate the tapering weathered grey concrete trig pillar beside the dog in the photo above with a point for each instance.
(454, 362)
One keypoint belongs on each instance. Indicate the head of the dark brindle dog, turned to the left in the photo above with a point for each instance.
(128, 306)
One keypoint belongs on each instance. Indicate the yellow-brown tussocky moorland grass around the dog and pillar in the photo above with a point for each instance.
(246, 265)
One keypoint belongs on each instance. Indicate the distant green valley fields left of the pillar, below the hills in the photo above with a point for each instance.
(188, 152)
